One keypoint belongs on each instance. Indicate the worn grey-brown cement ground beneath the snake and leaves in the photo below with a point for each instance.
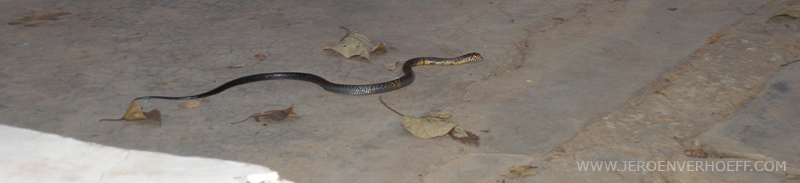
(561, 82)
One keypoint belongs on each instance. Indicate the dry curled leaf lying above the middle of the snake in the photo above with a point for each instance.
(355, 44)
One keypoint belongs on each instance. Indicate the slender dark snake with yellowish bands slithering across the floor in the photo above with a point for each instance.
(366, 89)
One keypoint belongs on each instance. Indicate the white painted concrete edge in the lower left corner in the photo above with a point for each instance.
(31, 156)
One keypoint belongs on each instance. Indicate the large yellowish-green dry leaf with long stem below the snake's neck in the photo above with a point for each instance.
(431, 125)
